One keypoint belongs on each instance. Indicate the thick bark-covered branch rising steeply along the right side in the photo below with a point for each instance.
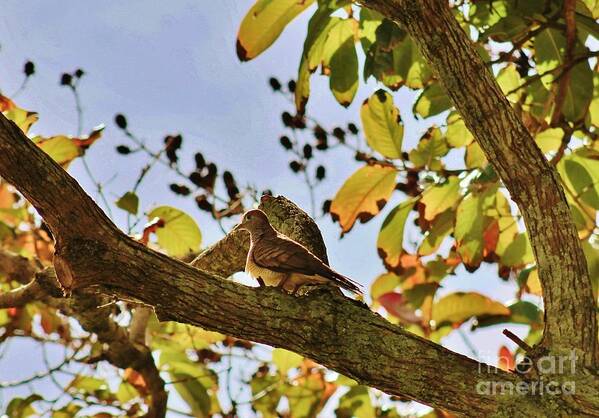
(570, 315)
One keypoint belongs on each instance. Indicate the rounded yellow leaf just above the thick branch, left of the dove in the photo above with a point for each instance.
(180, 234)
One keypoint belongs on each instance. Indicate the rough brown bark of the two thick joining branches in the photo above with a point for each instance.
(91, 253)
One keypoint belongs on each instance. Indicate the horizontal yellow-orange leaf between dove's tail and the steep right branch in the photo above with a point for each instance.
(458, 307)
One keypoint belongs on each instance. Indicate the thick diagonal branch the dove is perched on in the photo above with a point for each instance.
(335, 331)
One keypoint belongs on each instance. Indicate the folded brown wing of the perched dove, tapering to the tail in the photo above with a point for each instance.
(284, 255)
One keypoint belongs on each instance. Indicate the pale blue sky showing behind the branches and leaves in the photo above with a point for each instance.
(171, 67)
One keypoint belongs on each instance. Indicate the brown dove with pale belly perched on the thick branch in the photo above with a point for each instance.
(276, 260)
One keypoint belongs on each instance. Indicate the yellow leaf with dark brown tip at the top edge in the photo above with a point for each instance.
(263, 24)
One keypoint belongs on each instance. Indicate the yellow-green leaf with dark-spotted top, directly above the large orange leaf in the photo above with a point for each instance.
(382, 124)
